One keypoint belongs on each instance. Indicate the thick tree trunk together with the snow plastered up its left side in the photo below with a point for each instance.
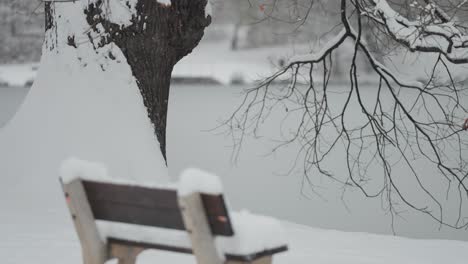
(102, 90)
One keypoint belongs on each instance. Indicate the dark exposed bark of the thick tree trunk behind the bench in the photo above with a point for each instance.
(158, 36)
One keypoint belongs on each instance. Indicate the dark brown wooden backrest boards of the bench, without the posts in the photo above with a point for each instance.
(151, 207)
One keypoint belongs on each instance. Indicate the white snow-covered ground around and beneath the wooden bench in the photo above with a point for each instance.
(32, 234)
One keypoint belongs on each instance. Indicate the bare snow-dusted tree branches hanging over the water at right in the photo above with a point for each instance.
(403, 123)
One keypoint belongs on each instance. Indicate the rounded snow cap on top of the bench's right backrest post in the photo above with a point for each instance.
(195, 180)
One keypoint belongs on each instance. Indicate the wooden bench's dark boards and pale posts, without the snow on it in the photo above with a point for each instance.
(202, 216)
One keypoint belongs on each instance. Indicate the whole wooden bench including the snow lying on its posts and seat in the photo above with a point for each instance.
(120, 219)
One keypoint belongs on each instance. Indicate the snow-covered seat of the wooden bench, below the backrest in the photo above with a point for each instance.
(235, 248)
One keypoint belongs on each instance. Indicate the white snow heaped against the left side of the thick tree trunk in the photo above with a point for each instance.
(81, 104)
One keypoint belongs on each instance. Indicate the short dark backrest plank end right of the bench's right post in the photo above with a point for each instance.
(217, 215)
